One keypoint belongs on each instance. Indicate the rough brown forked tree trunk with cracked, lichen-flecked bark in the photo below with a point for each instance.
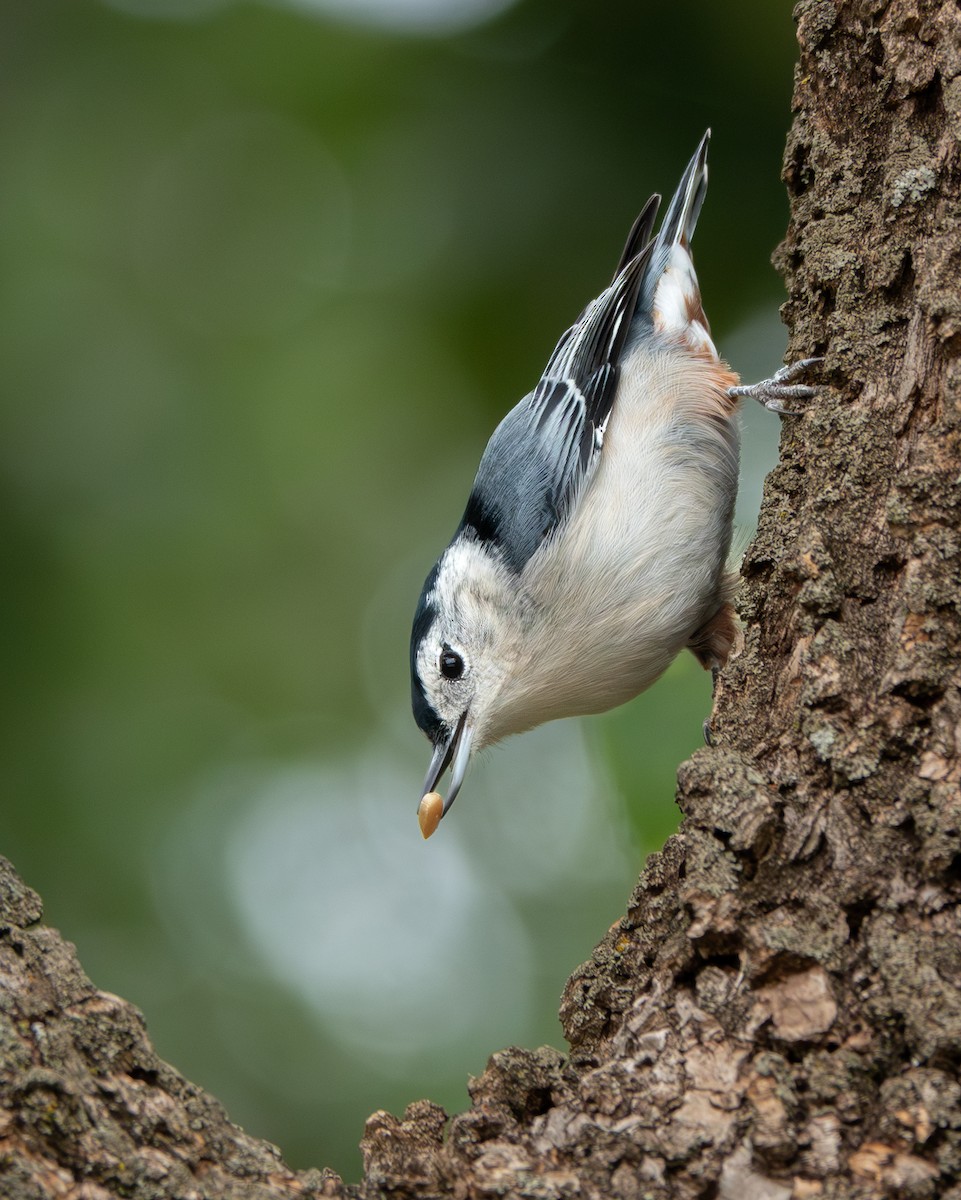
(779, 1012)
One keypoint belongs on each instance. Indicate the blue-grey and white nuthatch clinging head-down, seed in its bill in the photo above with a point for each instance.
(596, 541)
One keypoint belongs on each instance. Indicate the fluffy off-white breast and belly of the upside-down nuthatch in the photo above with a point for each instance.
(640, 565)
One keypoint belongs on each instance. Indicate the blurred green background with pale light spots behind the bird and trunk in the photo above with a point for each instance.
(271, 275)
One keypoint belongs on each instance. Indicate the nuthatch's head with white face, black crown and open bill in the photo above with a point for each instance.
(461, 655)
